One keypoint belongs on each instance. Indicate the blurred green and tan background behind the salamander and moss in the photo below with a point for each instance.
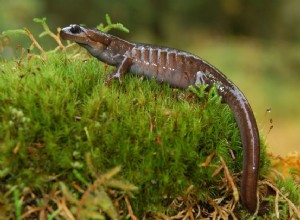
(255, 43)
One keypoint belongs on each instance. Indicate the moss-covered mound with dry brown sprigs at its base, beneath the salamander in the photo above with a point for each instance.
(74, 148)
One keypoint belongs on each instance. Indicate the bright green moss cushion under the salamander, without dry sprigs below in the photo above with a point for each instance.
(56, 112)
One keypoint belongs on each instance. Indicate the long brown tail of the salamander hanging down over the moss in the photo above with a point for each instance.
(251, 144)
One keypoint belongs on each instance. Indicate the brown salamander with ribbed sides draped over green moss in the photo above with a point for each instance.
(181, 70)
